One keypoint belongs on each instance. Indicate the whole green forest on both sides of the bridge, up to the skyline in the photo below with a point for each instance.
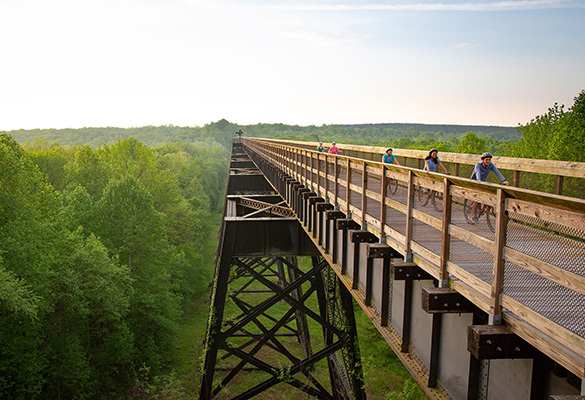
(107, 238)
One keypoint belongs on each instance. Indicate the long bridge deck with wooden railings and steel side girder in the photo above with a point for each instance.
(472, 312)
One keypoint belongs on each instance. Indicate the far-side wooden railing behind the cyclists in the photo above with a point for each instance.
(557, 169)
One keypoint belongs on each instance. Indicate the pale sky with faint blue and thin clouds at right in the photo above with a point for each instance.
(128, 63)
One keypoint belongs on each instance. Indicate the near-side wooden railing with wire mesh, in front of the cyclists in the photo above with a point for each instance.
(528, 274)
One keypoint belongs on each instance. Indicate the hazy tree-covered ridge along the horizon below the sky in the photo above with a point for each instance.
(222, 132)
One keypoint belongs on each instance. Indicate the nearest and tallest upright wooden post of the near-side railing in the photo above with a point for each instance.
(495, 316)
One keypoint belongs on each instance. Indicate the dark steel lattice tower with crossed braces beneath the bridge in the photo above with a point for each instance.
(278, 313)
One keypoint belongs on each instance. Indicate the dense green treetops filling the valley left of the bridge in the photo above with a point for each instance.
(100, 252)
